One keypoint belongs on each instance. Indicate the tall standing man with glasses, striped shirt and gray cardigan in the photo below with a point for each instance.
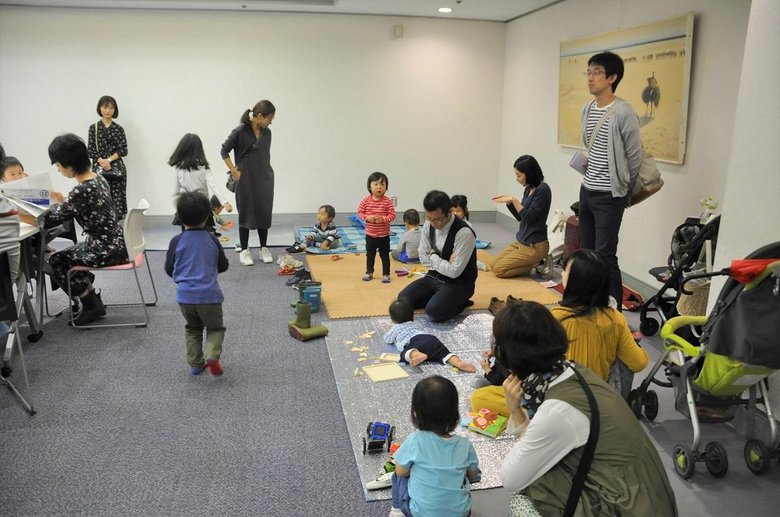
(610, 132)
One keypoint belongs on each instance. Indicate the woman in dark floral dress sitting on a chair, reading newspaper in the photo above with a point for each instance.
(90, 204)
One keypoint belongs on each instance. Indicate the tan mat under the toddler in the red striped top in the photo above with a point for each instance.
(346, 295)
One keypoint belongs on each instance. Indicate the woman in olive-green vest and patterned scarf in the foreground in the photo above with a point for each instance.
(550, 412)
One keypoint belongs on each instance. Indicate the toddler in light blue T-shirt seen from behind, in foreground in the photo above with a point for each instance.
(434, 468)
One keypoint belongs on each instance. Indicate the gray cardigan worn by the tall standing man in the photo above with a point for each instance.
(624, 147)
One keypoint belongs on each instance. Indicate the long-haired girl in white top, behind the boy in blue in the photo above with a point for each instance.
(193, 173)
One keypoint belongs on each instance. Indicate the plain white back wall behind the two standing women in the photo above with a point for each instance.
(350, 98)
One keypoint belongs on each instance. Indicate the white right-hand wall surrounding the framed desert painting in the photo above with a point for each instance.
(531, 110)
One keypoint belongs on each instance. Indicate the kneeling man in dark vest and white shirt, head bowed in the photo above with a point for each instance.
(448, 248)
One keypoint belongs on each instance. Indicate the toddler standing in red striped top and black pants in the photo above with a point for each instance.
(378, 212)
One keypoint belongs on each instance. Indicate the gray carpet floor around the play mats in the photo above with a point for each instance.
(123, 429)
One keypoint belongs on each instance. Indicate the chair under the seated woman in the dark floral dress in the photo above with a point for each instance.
(136, 250)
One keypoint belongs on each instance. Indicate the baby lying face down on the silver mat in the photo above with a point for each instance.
(414, 344)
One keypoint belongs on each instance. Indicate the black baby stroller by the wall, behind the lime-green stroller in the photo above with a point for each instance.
(687, 254)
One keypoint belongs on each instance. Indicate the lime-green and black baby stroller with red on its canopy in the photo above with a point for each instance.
(736, 352)
